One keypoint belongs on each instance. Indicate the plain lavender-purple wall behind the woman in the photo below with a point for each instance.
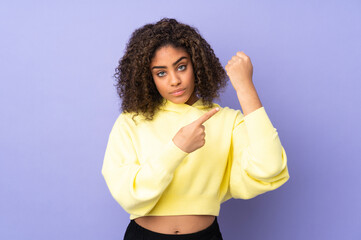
(58, 105)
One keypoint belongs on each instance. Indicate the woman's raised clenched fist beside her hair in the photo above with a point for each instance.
(240, 70)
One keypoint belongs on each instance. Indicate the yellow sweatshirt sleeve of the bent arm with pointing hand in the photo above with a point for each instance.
(137, 187)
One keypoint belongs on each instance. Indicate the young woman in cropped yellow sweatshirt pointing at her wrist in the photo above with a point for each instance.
(173, 156)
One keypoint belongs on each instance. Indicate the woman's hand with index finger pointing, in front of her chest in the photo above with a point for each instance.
(192, 136)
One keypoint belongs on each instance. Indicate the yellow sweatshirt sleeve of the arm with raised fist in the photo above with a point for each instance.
(258, 160)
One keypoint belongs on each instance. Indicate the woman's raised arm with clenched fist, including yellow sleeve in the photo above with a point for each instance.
(258, 161)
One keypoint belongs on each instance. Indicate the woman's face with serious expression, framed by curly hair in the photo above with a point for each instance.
(172, 69)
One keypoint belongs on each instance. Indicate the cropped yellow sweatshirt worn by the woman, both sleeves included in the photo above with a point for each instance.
(148, 175)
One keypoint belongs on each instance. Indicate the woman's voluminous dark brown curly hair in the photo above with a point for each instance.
(134, 81)
